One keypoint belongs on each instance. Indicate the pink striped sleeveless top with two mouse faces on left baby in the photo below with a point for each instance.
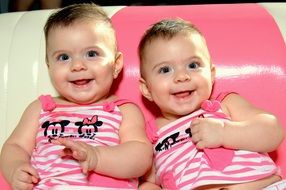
(97, 125)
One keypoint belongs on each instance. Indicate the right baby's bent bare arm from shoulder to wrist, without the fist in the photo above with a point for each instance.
(250, 128)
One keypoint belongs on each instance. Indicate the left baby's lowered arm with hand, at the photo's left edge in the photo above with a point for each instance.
(16, 151)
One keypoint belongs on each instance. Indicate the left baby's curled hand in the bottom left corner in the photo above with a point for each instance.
(24, 177)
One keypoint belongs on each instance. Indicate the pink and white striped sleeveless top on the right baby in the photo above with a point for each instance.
(180, 165)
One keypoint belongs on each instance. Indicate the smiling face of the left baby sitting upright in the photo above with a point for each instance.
(81, 61)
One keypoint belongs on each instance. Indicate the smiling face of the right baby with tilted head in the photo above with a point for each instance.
(178, 73)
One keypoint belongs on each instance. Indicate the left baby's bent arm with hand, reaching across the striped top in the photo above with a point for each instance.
(130, 159)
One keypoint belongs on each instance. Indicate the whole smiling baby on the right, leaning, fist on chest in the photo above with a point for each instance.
(201, 142)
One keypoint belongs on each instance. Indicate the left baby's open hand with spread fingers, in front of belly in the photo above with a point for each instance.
(84, 153)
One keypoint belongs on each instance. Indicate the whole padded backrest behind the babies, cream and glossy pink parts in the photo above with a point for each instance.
(245, 40)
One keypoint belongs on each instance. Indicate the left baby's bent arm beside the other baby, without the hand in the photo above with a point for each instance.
(133, 157)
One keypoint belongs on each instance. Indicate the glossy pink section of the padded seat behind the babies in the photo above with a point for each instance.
(246, 44)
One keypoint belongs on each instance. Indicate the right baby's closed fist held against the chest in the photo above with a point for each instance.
(207, 132)
